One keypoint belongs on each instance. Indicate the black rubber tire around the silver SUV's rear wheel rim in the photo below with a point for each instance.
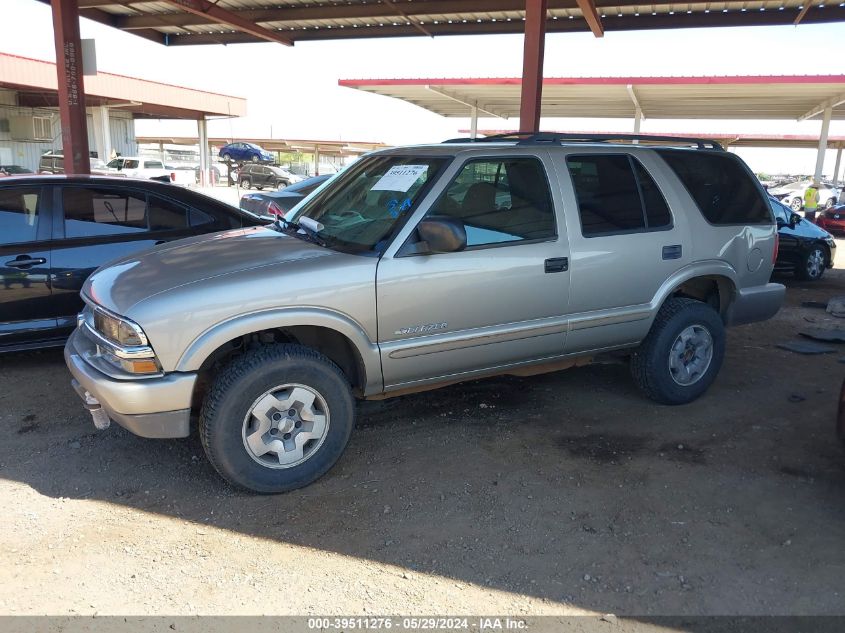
(650, 363)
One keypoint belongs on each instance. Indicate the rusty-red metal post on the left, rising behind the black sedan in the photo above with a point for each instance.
(71, 88)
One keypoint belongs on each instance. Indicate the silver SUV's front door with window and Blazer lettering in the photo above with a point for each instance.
(501, 301)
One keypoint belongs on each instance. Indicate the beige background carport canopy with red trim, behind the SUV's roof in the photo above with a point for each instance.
(742, 97)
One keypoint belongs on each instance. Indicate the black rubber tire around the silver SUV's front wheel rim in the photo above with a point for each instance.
(235, 391)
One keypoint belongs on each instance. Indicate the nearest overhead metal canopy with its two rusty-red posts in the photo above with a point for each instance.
(176, 22)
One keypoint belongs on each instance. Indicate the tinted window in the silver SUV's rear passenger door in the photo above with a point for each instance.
(616, 195)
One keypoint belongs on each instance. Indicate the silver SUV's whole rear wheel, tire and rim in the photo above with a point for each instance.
(682, 354)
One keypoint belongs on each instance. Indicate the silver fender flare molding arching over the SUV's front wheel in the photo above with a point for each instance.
(205, 344)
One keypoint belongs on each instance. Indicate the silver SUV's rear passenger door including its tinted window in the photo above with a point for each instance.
(625, 243)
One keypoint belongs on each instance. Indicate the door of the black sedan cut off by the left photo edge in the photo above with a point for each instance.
(25, 311)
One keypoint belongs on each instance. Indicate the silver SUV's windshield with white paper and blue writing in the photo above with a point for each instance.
(365, 205)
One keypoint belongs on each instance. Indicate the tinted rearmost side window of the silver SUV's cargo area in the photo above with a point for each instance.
(723, 190)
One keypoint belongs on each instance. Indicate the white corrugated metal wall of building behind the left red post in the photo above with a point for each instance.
(27, 153)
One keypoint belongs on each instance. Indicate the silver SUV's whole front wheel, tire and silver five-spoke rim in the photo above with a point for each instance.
(277, 418)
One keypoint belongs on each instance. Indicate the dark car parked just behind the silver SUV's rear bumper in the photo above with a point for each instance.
(803, 248)
